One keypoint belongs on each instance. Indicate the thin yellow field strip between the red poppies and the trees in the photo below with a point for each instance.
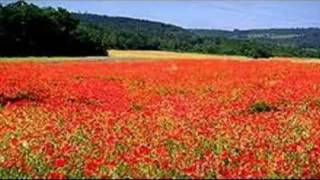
(141, 55)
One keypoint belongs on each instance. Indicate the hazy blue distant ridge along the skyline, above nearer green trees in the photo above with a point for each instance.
(302, 37)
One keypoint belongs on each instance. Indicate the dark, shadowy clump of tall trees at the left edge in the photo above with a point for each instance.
(27, 30)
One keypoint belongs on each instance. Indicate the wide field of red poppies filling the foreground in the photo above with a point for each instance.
(160, 119)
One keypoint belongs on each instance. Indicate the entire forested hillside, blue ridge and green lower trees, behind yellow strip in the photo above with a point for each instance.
(130, 33)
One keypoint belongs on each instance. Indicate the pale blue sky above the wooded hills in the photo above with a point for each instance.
(208, 14)
